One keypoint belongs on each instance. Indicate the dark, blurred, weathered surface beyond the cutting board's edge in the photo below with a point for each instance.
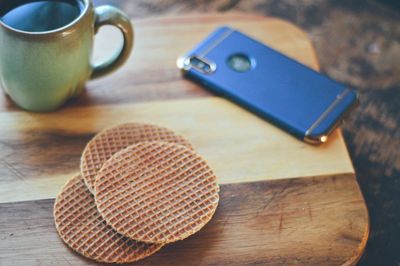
(357, 43)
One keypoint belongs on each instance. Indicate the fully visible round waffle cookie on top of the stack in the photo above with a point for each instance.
(156, 192)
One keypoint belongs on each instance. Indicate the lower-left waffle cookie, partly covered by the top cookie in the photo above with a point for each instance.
(82, 228)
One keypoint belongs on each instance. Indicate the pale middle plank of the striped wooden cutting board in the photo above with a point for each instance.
(240, 146)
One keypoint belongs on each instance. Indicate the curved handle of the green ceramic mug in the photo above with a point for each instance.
(108, 15)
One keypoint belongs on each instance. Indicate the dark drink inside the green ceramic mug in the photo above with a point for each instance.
(39, 16)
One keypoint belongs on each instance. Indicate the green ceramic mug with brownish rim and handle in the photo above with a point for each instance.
(41, 70)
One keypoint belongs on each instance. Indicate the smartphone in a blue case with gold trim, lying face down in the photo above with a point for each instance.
(264, 81)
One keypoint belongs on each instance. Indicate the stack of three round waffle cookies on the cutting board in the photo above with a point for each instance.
(140, 187)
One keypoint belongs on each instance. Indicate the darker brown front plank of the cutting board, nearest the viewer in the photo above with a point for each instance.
(302, 221)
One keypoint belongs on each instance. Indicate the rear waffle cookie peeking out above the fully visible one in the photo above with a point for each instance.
(114, 139)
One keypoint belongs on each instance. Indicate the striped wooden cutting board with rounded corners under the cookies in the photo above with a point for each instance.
(282, 201)
